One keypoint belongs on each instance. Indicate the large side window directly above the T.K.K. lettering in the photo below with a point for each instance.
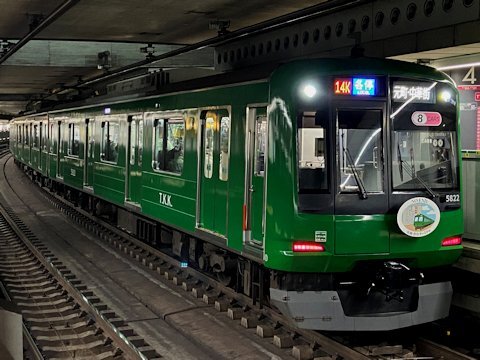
(168, 144)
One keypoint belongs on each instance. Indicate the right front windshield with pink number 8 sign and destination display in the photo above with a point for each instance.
(424, 135)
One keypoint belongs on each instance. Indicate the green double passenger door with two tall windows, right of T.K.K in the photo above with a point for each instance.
(213, 175)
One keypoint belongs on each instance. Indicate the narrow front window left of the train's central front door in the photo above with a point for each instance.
(312, 154)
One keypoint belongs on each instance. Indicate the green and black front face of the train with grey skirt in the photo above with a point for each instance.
(363, 213)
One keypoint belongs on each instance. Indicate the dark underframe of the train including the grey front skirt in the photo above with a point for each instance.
(375, 296)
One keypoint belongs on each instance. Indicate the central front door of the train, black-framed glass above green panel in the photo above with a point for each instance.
(361, 181)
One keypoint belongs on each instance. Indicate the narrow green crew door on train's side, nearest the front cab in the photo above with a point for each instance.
(254, 212)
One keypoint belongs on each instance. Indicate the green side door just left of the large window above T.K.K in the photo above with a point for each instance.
(133, 165)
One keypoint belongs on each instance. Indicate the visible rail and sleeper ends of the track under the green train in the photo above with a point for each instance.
(264, 321)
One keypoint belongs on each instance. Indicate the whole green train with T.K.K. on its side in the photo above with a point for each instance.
(297, 185)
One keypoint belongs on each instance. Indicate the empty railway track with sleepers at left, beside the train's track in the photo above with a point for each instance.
(62, 318)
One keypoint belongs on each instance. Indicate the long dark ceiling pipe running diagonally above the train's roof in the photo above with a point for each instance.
(278, 22)
